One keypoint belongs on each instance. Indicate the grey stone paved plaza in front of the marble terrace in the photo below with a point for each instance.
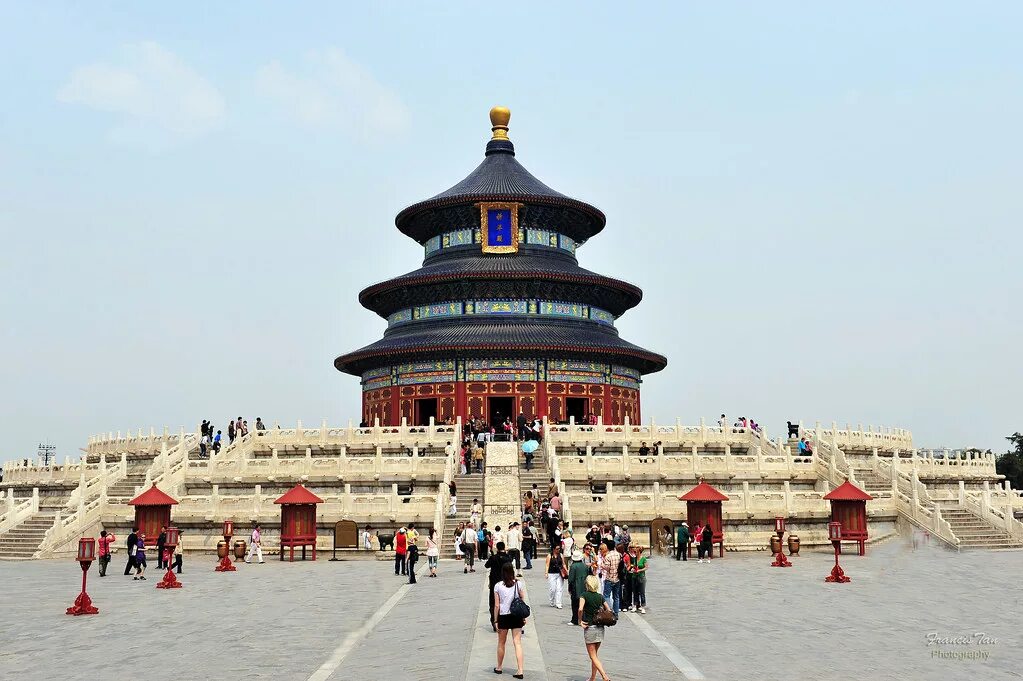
(732, 619)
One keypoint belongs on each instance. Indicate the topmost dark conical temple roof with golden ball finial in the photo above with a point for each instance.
(500, 177)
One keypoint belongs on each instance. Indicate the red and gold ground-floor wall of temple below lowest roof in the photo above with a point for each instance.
(473, 399)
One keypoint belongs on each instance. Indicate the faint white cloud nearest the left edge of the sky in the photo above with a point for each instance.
(153, 89)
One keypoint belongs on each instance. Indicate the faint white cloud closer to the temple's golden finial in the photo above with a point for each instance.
(331, 89)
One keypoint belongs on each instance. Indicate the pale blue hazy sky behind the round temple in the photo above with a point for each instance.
(821, 204)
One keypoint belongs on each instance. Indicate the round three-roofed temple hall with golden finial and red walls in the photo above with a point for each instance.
(501, 320)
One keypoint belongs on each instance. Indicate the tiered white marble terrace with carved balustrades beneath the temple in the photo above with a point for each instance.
(389, 477)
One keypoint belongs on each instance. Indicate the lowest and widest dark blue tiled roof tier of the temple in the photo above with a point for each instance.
(476, 339)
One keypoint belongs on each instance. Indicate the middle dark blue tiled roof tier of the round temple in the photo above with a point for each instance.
(501, 277)
